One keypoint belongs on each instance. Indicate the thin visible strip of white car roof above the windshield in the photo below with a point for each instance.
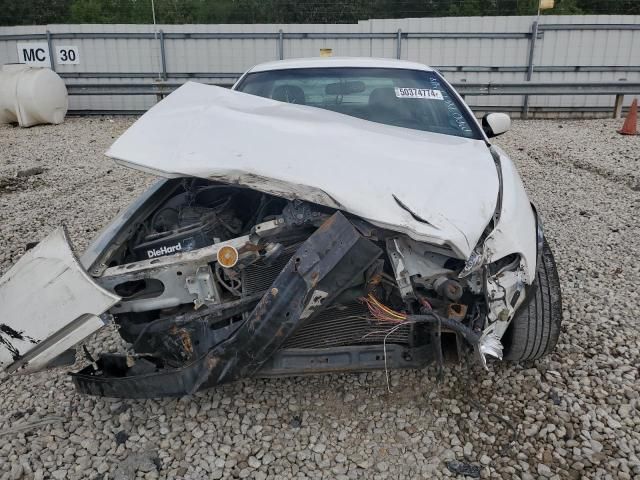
(334, 62)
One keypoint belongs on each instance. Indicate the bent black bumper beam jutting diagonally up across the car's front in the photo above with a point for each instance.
(322, 267)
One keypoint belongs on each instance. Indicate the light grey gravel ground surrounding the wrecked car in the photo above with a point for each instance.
(576, 412)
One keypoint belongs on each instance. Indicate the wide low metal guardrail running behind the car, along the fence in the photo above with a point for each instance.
(160, 89)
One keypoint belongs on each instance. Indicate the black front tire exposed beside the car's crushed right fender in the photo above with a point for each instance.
(534, 330)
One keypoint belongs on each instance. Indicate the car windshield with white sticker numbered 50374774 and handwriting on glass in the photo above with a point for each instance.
(414, 99)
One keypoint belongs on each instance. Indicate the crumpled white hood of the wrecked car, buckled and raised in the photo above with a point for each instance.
(435, 188)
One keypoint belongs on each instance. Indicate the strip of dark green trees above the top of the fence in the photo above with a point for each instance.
(42, 12)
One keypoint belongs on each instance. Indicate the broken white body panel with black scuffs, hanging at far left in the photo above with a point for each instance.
(48, 303)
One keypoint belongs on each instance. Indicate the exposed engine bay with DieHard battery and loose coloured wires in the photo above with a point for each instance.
(196, 267)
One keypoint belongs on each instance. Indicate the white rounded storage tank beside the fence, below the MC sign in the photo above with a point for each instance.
(31, 95)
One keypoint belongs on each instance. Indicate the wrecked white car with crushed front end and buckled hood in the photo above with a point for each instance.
(323, 215)
